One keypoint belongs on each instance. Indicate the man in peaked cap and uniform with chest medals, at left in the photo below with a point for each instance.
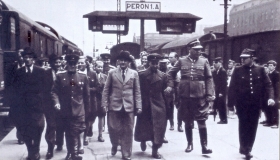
(71, 95)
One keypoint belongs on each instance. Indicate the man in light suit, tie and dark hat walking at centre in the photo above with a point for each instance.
(120, 95)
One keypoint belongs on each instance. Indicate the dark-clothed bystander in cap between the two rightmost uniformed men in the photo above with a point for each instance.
(220, 81)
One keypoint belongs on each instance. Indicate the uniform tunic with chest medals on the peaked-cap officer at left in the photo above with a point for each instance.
(71, 91)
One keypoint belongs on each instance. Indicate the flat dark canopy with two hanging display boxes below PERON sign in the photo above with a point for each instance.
(118, 22)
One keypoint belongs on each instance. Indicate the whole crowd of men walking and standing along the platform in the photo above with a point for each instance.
(70, 92)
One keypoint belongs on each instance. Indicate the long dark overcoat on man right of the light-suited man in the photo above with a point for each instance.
(151, 123)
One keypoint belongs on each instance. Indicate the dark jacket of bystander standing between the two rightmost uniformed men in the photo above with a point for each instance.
(220, 81)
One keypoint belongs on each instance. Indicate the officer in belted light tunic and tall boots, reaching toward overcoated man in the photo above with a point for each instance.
(195, 90)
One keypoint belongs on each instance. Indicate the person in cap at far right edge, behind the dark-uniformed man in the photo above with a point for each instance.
(272, 111)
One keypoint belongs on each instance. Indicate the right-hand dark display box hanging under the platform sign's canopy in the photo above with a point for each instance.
(175, 26)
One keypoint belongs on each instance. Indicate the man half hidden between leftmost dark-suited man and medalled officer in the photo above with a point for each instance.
(48, 106)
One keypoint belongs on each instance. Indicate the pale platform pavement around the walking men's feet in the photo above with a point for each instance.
(222, 139)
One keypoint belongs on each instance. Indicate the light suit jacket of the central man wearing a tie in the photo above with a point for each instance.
(118, 93)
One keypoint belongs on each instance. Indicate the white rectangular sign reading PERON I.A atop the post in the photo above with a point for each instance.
(142, 6)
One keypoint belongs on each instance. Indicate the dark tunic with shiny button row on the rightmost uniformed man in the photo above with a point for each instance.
(249, 85)
